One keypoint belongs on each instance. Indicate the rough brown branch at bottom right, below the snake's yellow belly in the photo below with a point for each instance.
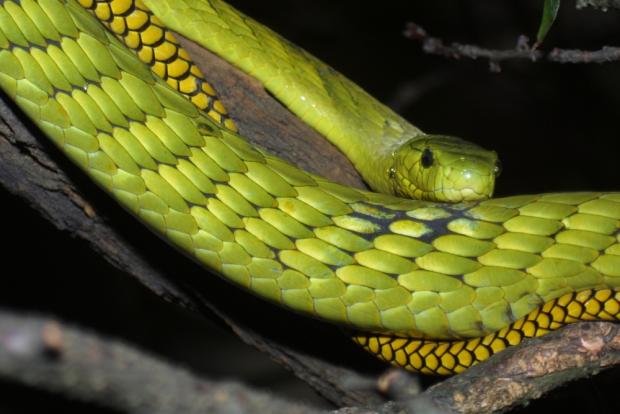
(521, 374)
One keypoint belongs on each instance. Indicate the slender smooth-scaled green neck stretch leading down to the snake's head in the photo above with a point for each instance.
(365, 130)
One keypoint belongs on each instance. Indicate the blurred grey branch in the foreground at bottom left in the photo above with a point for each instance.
(46, 354)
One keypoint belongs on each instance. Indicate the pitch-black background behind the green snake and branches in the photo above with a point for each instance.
(554, 127)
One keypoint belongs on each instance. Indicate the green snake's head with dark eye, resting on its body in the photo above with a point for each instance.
(443, 168)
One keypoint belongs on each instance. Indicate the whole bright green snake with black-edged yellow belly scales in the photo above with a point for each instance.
(430, 286)
